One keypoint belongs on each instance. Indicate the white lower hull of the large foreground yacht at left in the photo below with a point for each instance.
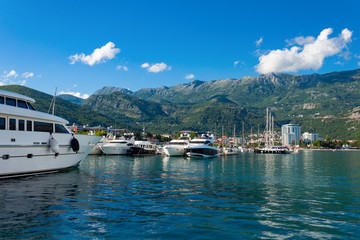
(29, 153)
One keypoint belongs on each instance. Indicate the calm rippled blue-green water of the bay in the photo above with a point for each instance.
(310, 195)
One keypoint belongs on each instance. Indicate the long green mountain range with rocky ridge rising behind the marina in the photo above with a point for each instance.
(327, 104)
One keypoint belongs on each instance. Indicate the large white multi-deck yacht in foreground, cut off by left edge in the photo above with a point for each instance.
(33, 142)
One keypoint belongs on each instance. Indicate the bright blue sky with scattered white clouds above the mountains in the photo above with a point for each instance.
(147, 44)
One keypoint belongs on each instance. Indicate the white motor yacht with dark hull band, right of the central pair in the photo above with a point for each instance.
(202, 147)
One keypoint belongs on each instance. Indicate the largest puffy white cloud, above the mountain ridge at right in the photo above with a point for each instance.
(310, 56)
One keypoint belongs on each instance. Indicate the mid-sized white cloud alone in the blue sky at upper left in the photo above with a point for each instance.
(99, 55)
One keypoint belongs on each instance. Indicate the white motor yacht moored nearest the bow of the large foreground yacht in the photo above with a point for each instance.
(120, 146)
